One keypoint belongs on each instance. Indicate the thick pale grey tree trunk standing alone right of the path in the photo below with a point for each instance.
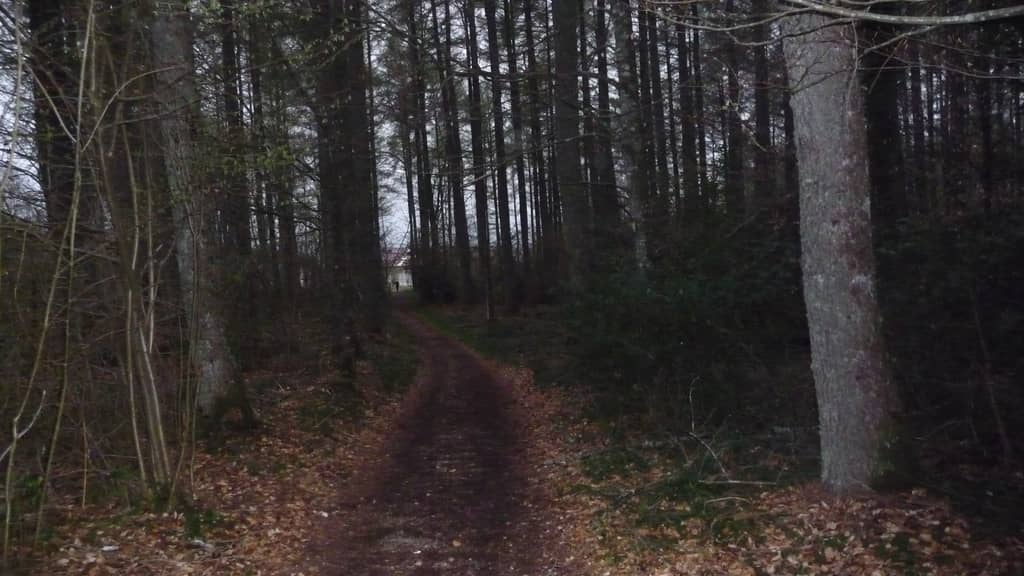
(858, 400)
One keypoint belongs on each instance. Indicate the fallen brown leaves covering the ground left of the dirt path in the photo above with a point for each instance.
(258, 508)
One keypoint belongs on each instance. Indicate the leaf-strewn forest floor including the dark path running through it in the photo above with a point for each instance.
(439, 461)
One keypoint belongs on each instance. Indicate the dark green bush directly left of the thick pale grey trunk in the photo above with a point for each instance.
(718, 333)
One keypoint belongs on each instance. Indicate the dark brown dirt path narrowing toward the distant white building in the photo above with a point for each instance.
(448, 489)
